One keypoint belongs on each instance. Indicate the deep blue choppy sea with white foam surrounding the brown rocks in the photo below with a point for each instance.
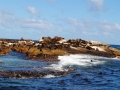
(90, 73)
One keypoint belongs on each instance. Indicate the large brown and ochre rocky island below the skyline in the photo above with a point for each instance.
(48, 49)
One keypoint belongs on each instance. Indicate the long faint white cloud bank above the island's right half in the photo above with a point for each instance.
(89, 25)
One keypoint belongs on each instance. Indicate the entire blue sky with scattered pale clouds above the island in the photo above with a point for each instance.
(86, 19)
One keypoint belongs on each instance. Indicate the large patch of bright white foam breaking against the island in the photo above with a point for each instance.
(79, 60)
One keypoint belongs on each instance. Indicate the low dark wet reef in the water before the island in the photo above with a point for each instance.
(32, 74)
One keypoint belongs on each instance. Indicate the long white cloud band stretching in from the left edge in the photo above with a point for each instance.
(8, 21)
